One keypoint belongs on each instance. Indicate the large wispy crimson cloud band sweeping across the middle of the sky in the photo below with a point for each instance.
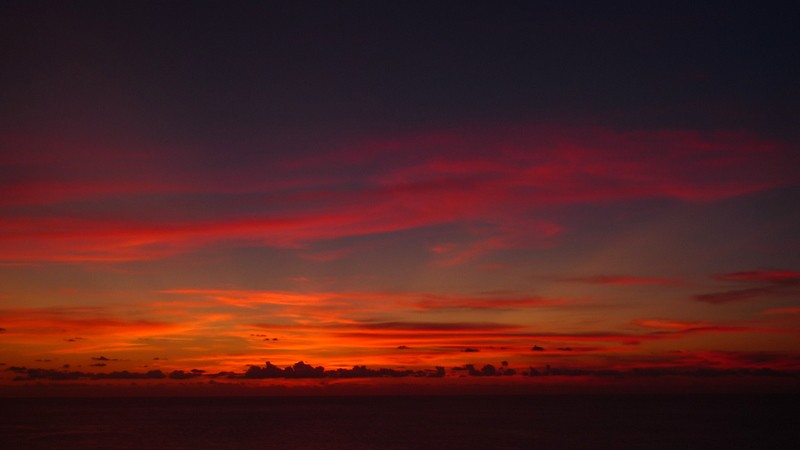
(148, 204)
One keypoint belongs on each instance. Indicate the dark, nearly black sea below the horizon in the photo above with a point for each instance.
(529, 422)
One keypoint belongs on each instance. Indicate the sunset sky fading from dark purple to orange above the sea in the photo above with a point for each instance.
(196, 188)
